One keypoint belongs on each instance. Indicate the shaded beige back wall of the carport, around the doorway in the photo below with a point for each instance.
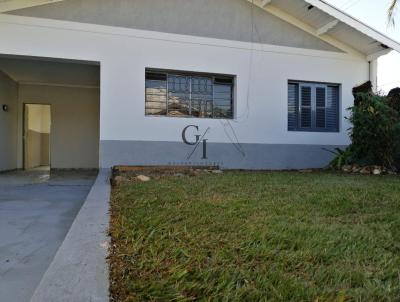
(74, 135)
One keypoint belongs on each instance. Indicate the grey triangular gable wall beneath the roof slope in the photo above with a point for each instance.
(222, 19)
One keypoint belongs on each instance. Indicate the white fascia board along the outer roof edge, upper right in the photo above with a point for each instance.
(356, 24)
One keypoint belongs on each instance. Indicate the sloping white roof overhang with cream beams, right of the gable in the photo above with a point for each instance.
(331, 25)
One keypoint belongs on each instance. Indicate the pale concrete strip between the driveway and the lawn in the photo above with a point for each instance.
(79, 271)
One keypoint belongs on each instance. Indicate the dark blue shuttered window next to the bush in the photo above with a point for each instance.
(313, 107)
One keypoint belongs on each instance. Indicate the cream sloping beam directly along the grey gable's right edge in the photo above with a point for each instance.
(307, 28)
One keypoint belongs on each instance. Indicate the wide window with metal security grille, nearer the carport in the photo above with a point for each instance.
(189, 95)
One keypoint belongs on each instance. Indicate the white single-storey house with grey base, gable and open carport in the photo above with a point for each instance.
(252, 84)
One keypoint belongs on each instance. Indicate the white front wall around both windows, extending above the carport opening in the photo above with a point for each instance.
(262, 73)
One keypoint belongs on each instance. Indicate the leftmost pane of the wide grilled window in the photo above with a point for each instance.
(156, 94)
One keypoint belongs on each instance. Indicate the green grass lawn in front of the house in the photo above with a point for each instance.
(247, 236)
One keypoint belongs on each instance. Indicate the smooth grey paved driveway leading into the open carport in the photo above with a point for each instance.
(36, 212)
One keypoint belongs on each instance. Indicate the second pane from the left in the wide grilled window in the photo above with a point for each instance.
(178, 95)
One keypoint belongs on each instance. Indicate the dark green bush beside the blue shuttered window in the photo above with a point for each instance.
(375, 133)
